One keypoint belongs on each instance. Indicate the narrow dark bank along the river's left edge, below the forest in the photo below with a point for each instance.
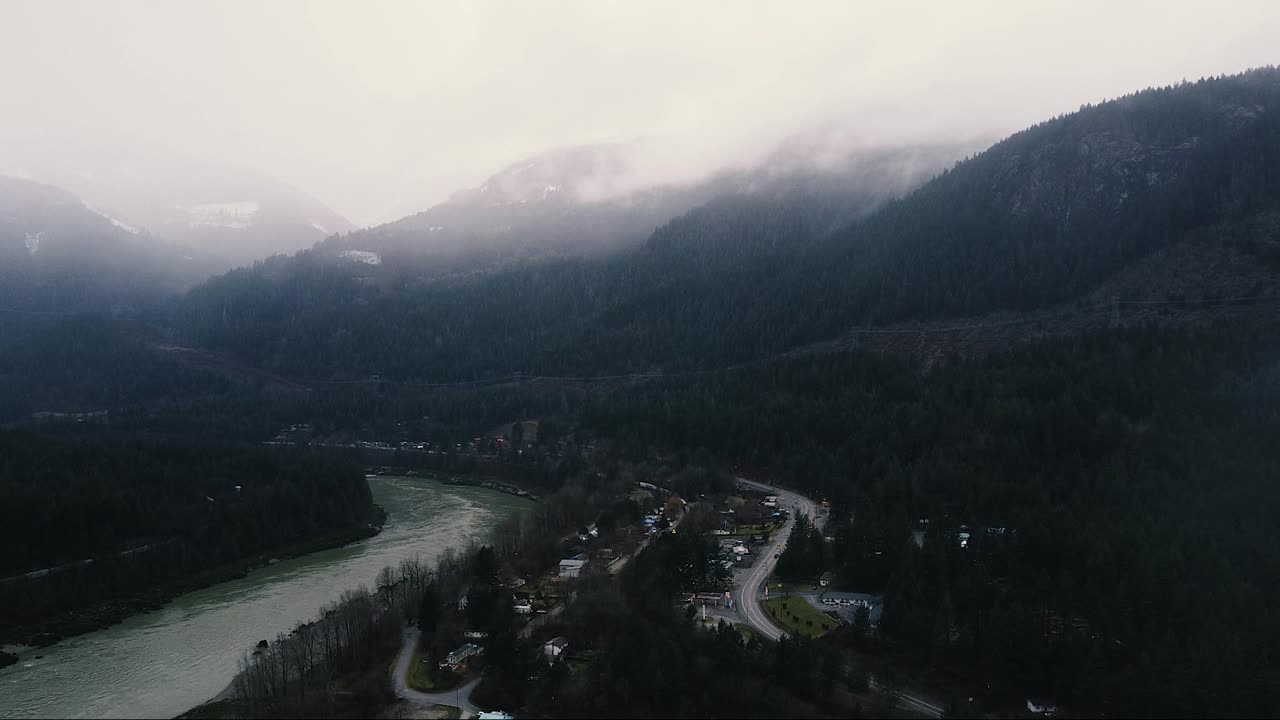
(107, 614)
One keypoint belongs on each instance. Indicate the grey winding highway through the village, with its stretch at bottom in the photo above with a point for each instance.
(751, 594)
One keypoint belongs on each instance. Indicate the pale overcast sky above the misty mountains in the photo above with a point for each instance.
(380, 107)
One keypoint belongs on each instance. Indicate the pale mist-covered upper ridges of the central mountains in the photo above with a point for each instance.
(595, 200)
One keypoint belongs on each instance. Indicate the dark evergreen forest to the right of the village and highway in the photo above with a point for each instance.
(1116, 493)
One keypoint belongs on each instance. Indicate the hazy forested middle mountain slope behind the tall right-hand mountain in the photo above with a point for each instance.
(318, 316)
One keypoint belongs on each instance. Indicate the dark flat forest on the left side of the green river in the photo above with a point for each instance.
(100, 523)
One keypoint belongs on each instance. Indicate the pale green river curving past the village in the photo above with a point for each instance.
(161, 664)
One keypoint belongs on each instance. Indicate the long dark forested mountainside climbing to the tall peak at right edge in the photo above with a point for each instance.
(1040, 220)
